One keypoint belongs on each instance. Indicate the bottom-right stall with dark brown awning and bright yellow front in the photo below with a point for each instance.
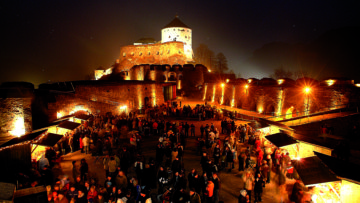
(322, 184)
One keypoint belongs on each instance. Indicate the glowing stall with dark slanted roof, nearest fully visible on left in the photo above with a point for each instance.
(39, 148)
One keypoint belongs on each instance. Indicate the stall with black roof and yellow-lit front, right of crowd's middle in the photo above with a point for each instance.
(284, 142)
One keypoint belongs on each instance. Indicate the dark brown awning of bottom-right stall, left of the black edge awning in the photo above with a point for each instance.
(312, 171)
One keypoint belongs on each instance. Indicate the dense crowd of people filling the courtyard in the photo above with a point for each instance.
(133, 177)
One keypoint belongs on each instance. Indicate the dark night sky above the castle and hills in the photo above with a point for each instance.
(58, 40)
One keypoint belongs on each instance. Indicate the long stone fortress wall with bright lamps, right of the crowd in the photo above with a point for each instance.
(288, 100)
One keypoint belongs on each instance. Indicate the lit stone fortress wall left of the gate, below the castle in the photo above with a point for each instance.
(117, 98)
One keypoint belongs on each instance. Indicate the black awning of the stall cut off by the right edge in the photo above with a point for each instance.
(341, 168)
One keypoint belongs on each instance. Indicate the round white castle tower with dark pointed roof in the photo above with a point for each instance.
(178, 31)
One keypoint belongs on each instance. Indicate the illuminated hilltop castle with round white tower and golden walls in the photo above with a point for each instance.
(175, 48)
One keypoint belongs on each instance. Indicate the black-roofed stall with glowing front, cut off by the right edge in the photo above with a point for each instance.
(349, 175)
